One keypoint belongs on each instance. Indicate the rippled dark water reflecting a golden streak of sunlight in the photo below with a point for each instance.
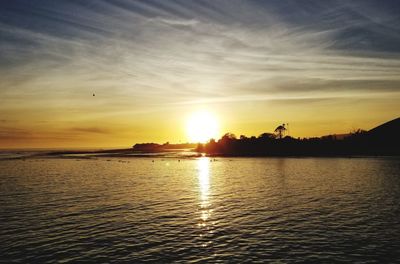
(200, 210)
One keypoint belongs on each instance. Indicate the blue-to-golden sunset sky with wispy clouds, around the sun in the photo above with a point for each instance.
(324, 67)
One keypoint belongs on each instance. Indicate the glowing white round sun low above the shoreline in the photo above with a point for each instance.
(202, 126)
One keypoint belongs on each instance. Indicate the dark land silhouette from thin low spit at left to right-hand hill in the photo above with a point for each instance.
(383, 140)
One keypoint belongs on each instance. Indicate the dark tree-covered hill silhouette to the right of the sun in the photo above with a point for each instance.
(382, 140)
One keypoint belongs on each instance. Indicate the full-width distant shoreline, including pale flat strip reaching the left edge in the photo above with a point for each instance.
(381, 141)
